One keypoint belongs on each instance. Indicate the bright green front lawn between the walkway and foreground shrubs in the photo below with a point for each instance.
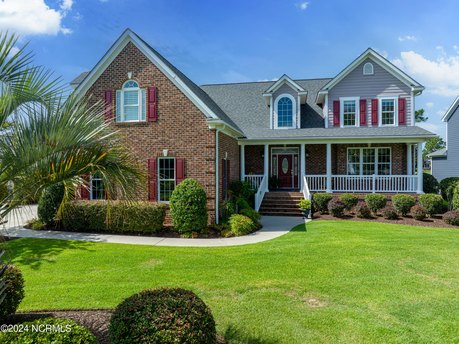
(336, 282)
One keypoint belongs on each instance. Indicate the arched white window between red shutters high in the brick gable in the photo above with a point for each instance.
(130, 103)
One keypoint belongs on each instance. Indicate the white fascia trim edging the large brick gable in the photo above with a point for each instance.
(117, 47)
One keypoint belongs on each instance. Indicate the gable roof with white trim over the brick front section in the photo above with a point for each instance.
(210, 109)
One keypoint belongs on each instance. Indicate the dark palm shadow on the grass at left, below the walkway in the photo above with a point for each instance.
(35, 252)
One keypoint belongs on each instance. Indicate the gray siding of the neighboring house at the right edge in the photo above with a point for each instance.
(449, 167)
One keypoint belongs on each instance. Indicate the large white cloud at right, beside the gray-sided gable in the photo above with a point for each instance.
(440, 75)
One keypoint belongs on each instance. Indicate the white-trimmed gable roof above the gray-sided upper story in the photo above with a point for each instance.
(383, 62)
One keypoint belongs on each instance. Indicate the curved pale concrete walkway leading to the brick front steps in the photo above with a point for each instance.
(273, 227)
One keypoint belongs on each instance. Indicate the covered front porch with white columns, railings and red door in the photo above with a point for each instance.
(386, 167)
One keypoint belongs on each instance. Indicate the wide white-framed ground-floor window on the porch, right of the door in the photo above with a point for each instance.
(369, 161)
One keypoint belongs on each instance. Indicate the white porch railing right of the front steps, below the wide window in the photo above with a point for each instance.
(372, 183)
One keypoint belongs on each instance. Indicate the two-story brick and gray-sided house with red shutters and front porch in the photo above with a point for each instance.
(351, 133)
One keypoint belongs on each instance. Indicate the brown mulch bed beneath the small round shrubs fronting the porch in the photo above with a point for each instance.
(435, 221)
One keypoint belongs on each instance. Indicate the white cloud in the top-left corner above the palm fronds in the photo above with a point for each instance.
(33, 17)
